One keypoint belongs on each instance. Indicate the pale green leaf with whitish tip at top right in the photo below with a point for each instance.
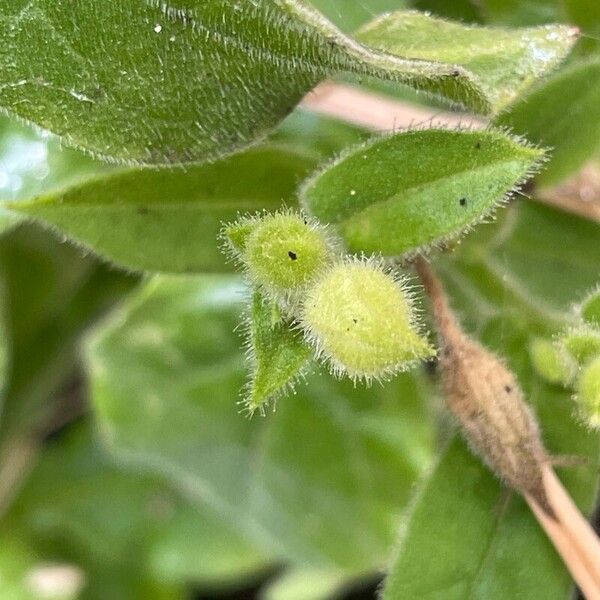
(503, 62)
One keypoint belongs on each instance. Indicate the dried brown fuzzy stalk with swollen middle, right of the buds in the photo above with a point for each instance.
(487, 401)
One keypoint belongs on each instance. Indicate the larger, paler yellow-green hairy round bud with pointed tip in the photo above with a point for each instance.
(361, 320)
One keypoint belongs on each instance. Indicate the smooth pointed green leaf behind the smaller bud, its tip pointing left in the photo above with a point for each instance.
(169, 220)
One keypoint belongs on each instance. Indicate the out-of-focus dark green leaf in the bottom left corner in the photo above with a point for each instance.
(65, 512)
